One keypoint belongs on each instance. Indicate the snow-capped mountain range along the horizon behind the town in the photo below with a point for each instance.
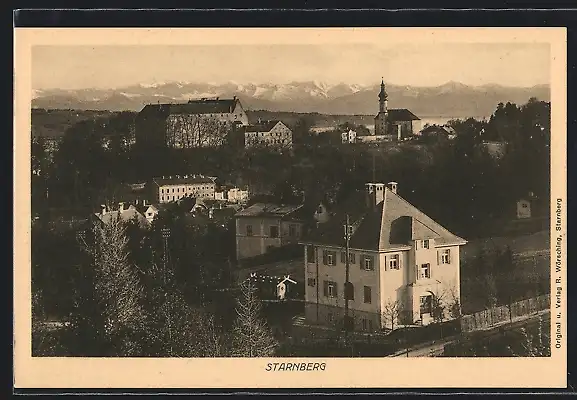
(452, 98)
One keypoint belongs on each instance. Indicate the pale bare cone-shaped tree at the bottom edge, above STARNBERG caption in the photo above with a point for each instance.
(251, 335)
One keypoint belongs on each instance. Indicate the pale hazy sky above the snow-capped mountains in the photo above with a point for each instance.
(78, 67)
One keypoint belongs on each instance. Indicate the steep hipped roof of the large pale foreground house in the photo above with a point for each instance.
(391, 224)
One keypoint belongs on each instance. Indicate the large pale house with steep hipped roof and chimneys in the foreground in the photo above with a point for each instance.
(396, 254)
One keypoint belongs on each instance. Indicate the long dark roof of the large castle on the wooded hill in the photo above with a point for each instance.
(208, 106)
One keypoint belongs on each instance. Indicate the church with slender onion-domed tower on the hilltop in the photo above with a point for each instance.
(394, 124)
